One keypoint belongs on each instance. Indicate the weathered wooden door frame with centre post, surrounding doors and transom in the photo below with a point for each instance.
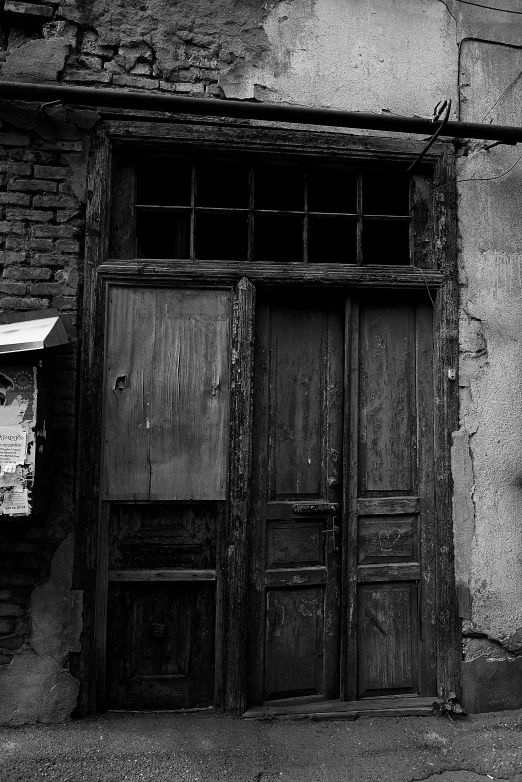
(439, 277)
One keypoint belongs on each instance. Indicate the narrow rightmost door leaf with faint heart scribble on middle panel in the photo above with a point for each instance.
(390, 648)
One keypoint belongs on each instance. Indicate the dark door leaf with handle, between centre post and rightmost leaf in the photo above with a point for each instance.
(294, 650)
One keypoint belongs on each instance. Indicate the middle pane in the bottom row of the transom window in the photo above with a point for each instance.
(278, 238)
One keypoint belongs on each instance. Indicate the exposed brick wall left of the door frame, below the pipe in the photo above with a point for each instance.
(41, 219)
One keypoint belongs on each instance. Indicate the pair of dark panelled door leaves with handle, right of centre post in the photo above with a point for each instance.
(342, 551)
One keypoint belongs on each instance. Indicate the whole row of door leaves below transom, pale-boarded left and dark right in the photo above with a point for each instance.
(334, 579)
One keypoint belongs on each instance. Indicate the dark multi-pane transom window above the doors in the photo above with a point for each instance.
(212, 209)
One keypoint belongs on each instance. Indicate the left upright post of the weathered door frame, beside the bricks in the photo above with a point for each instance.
(90, 564)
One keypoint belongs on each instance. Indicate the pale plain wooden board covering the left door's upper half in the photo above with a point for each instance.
(166, 394)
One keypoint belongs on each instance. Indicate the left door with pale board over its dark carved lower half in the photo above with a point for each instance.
(163, 490)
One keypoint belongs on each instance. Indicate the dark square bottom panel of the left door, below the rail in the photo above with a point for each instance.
(161, 645)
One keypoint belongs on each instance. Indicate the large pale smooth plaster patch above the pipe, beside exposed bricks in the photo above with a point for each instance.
(361, 56)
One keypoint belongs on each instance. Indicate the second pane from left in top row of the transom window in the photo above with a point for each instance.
(222, 184)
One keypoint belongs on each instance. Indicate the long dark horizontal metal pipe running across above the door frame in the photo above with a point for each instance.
(177, 104)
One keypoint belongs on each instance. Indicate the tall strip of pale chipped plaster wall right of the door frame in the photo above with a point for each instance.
(491, 291)
